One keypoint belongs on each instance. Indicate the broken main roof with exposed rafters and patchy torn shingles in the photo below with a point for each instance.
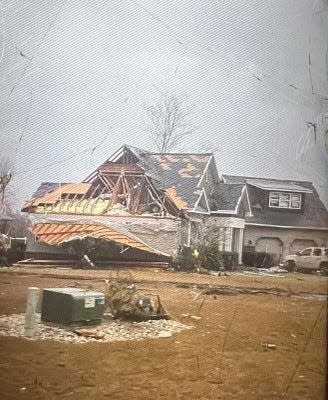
(132, 181)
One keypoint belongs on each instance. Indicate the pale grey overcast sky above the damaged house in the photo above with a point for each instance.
(76, 73)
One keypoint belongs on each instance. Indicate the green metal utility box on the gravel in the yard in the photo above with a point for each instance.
(72, 306)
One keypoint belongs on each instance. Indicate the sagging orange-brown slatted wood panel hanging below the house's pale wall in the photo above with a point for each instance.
(58, 233)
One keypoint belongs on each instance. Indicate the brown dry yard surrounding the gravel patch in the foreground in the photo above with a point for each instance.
(222, 357)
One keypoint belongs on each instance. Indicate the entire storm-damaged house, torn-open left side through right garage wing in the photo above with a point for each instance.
(140, 205)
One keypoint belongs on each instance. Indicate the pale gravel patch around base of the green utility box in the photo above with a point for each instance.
(107, 331)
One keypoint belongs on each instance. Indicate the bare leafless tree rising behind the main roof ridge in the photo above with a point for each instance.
(169, 123)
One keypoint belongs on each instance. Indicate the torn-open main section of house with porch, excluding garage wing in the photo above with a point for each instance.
(138, 204)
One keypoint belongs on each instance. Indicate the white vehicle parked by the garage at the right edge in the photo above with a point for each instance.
(308, 260)
